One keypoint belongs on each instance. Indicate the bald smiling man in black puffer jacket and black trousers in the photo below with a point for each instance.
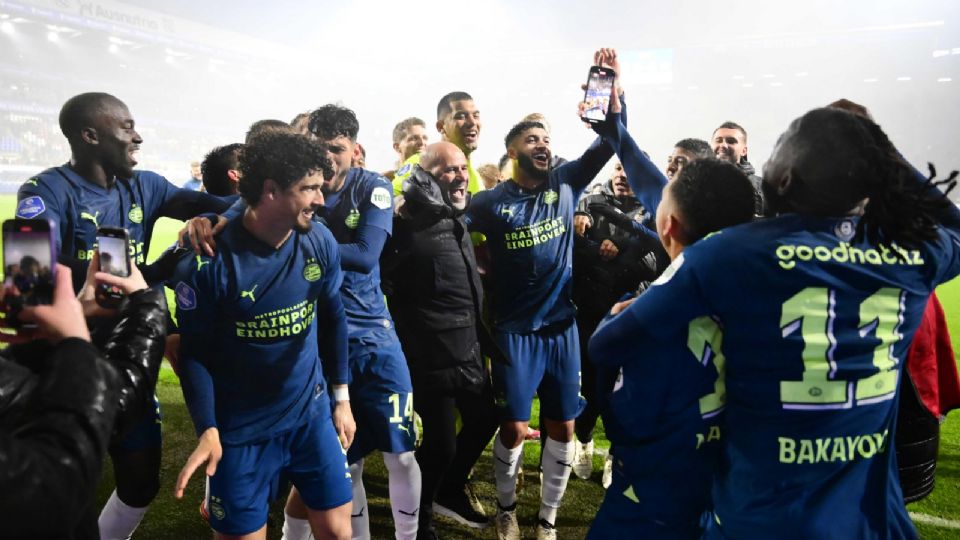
(434, 293)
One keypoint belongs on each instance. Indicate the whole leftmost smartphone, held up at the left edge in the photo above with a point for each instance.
(29, 265)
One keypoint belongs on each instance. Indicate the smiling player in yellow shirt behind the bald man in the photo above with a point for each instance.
(458, 121)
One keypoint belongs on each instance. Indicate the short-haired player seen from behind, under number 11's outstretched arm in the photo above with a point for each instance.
(663, 419)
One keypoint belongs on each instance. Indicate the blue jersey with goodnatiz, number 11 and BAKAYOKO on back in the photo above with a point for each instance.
(815, 332)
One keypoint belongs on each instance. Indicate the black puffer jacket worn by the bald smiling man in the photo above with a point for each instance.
(429, 273)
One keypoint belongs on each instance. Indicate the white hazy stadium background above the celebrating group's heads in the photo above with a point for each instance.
(196, 74)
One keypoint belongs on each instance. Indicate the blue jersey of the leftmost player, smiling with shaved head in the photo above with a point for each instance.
(78, 207)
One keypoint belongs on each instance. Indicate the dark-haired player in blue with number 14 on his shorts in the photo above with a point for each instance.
(358, 209)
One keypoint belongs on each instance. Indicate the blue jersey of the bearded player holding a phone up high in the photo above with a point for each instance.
(530, 239)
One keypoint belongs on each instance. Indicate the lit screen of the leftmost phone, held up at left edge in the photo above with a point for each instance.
(28, 265)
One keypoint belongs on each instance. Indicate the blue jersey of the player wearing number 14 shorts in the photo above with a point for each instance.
(366, 199)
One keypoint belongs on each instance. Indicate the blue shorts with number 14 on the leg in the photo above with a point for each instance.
(381, 395)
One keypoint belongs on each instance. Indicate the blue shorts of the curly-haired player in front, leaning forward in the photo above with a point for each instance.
(248, 476)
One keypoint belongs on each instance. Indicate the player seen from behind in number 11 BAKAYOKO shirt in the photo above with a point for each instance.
(817, 305)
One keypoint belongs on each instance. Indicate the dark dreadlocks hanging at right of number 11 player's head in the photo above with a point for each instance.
(900, 210)
